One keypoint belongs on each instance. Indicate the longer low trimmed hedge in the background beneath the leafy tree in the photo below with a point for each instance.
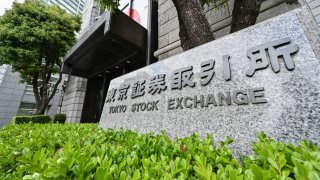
(42, 119)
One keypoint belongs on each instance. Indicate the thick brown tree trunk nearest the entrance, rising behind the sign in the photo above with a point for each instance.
(194, 27)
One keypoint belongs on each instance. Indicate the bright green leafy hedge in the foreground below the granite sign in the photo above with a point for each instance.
(84, 151)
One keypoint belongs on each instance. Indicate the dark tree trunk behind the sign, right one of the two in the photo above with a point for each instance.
(244, 14)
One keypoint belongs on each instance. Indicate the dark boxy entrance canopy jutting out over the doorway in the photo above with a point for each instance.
(109, 43)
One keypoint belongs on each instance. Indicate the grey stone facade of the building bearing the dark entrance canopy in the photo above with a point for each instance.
(168, 40)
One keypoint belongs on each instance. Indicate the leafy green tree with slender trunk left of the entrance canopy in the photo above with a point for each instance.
(33, 39)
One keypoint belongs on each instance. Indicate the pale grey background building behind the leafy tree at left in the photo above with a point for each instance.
(17, 98)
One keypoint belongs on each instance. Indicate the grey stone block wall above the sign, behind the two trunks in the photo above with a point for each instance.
(219, 20)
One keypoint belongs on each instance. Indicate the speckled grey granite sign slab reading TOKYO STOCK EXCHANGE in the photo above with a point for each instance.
(284, 104)
